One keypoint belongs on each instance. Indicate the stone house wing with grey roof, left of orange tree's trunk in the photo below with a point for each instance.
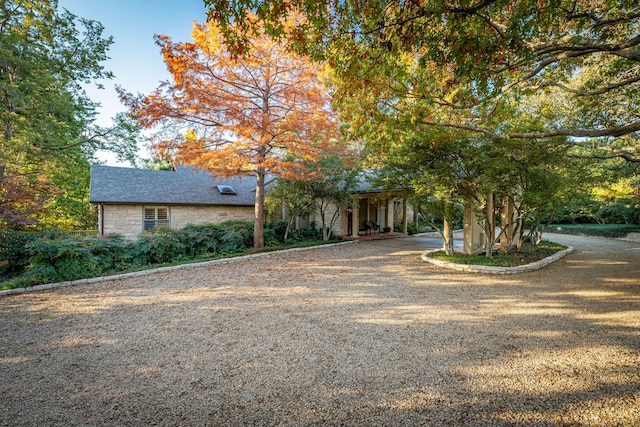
(133, 200)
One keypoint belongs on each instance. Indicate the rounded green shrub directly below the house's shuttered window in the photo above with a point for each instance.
(157, 246)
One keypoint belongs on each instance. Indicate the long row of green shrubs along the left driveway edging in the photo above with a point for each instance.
(52, 256)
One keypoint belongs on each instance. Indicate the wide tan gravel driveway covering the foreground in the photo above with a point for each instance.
(361, 334)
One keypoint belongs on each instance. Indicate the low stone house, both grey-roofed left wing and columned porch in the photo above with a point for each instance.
(131, 201)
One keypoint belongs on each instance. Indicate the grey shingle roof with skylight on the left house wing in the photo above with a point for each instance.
(183, 186)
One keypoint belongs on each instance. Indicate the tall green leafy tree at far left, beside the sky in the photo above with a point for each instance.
(46, 118)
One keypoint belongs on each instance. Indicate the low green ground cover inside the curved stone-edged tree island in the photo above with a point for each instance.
(526, 255)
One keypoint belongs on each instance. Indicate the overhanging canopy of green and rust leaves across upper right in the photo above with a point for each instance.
(470, 57)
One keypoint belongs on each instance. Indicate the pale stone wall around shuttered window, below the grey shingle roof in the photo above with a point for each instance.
(127, 219)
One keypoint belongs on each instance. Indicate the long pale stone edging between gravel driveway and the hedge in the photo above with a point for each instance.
(160, 270)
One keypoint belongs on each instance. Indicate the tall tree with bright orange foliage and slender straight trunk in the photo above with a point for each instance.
(264, 112)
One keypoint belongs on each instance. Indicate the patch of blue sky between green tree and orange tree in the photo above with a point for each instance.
(135, 59)
